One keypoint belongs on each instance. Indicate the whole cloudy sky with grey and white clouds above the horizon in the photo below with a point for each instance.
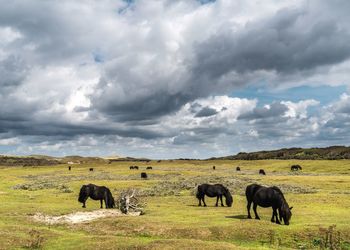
(173, 78)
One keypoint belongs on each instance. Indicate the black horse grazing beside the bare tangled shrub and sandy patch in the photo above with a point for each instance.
(101, 193)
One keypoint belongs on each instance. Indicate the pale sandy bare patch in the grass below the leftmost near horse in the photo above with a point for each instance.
(81, 217)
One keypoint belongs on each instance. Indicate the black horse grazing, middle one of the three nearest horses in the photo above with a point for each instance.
(217, 191)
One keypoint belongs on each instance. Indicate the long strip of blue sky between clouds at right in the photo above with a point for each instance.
(324, 94)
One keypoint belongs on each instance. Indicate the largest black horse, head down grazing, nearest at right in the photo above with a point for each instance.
(268, 197)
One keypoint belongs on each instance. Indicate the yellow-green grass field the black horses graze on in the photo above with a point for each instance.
(320, 195)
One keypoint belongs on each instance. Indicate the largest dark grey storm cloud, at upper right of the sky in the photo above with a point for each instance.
(289, 42)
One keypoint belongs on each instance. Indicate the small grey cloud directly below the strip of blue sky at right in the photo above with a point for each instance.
(274, 110)
